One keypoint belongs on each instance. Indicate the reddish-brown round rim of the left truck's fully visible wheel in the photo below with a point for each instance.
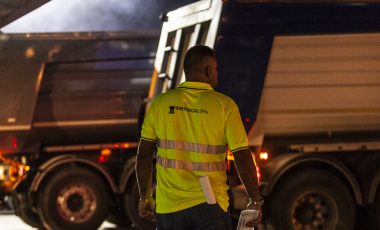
(76, 203)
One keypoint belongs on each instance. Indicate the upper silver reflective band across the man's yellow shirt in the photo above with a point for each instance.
(192, 147)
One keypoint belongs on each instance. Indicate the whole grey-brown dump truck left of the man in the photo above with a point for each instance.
(68, 125)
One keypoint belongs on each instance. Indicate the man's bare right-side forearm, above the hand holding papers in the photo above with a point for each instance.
(247, 172)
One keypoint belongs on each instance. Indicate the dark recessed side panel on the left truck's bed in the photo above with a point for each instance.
(100, 97)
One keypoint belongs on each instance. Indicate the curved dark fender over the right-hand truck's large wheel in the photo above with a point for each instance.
(279, 166)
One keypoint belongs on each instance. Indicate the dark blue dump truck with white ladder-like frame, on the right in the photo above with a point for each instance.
(306, 78)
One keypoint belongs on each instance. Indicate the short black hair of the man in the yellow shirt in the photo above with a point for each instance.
(195, 55)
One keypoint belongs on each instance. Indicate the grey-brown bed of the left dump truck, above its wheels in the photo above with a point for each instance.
(72, 88)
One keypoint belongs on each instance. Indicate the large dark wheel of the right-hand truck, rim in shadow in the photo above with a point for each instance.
(312, 199)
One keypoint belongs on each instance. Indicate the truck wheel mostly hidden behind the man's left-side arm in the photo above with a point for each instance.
(131, 204)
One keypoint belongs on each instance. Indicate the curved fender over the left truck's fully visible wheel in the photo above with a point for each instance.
(53, 163)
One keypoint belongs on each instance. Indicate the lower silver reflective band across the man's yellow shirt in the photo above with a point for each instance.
(192, 166)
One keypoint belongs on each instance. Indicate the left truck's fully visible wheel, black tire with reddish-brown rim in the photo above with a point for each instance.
(73, 198)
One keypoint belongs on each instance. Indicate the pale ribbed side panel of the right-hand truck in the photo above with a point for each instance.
(324, 83)
